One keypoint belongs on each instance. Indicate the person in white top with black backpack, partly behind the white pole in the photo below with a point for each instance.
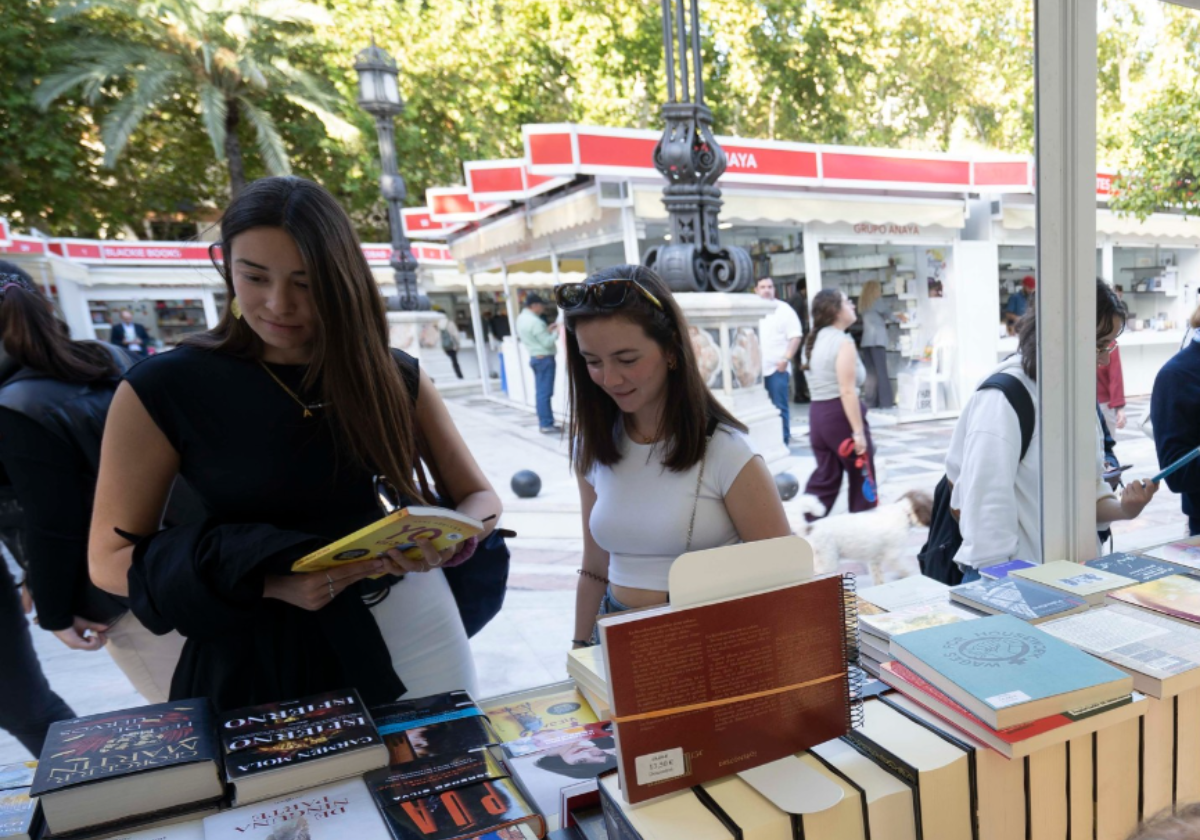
(994, 467)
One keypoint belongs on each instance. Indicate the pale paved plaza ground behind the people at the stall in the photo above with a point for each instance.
(529, 641)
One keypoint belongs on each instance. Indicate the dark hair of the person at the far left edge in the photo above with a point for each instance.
(35, 338)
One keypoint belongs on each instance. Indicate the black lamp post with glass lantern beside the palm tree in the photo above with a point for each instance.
(380, 97)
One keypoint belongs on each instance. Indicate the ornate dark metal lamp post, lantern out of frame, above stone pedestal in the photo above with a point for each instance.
(692, 161)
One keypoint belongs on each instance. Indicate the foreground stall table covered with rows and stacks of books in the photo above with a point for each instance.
(1000, 713)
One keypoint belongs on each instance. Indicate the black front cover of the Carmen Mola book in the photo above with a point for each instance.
(291, 734)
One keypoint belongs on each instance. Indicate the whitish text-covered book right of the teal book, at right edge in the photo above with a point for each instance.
(1153, 649)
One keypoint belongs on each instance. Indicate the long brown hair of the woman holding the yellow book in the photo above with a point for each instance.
(368, 401)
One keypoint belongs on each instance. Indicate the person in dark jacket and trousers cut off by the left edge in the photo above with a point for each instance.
(56, 505)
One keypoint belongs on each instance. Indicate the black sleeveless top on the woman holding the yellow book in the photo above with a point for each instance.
(247, 448)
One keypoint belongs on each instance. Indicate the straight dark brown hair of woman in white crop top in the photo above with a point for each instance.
(689, 405)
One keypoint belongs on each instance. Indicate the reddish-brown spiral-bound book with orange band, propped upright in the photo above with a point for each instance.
(704, 692)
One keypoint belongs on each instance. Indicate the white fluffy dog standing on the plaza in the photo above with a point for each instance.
(875, 537)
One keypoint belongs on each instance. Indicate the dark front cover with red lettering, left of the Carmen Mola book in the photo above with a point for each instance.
(100, 747)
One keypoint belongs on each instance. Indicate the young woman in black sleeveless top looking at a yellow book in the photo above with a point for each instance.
(280, 418)
